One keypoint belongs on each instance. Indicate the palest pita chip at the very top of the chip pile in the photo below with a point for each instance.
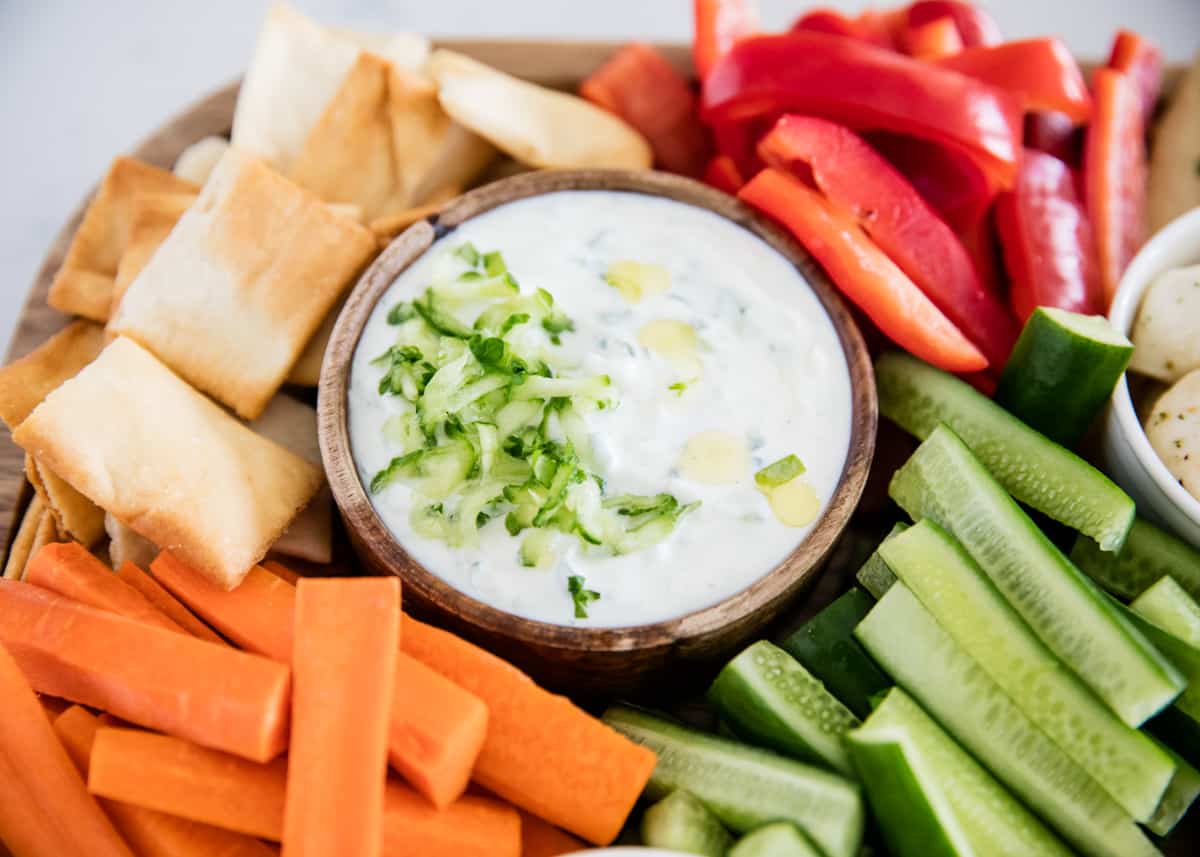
(297, 70)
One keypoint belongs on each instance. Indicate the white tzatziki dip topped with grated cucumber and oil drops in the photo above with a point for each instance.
(694, 357)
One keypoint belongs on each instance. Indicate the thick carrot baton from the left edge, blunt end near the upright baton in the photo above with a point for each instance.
(211, 694)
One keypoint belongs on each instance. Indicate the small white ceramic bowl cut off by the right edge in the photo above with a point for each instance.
(1129, 456)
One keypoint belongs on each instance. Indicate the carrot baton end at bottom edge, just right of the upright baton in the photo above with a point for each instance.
(470, 828)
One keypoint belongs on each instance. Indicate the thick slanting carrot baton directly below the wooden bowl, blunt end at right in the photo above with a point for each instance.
(542, 752)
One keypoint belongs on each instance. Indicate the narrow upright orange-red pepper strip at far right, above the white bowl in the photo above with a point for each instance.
(1115, 175)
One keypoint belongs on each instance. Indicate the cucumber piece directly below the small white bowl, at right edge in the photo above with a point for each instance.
(1149, 555)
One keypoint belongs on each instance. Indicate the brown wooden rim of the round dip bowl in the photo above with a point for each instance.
(784, 580)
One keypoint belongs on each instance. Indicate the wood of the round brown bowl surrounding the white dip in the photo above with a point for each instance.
(589, 661)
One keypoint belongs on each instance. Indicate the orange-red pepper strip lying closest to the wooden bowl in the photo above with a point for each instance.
(863, 272)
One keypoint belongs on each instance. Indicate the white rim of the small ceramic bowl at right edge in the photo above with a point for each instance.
(1126, 303)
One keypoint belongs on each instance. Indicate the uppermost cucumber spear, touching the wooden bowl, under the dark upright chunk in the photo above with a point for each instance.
(919, 398)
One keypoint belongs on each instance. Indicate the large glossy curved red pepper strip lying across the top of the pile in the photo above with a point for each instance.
(865, 87)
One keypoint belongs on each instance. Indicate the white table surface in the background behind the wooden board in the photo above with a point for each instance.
(82, 81)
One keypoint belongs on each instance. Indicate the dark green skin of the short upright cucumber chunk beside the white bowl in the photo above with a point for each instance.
(1057, 382)
